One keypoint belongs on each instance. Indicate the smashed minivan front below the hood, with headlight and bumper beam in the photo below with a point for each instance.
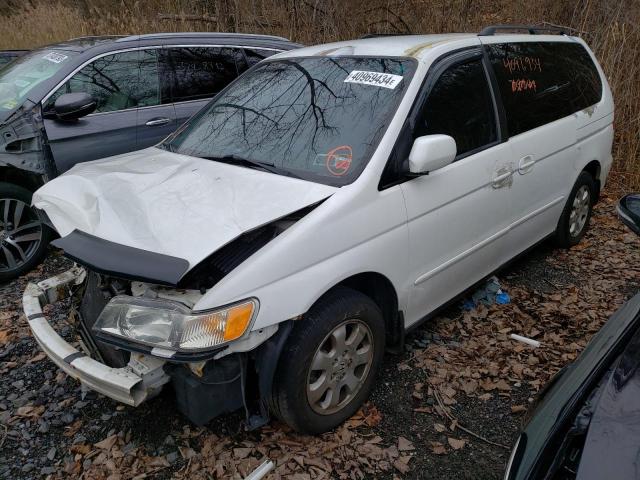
(208, 381)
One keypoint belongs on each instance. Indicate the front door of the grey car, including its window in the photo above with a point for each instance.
(114, 81)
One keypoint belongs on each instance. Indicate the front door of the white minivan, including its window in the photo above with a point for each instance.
(457, 215)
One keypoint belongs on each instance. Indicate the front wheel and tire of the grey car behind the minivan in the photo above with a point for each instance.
(23, 235)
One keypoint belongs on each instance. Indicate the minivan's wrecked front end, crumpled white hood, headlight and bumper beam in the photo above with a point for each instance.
(155, 232)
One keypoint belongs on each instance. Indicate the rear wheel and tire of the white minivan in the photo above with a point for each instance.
(574, 221)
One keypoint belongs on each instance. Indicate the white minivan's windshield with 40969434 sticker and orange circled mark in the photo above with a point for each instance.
(316, 118)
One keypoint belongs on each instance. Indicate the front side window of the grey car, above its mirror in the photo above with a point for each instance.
(116, 82)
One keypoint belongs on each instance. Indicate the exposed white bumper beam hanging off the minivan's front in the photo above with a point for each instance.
(141, 379)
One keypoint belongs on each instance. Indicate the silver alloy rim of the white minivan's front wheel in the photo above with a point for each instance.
(340, 367)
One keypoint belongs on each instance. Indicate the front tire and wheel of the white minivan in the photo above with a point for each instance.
(343, 312)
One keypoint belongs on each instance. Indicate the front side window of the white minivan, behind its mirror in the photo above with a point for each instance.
(460, 105)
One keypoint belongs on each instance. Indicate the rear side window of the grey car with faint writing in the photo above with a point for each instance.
(194, 73)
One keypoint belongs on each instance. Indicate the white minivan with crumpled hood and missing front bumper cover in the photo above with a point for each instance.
(266, 254)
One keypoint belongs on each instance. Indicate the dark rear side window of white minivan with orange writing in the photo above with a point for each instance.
(543, 81)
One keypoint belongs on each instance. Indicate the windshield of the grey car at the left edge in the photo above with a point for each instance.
(19, 77)
